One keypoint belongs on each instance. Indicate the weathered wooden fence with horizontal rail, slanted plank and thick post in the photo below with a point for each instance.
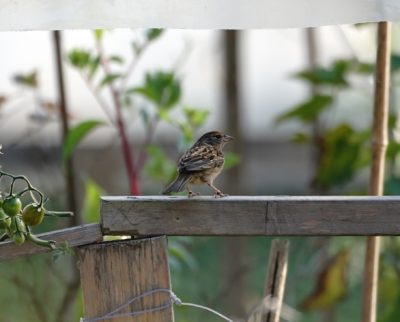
(114, 272)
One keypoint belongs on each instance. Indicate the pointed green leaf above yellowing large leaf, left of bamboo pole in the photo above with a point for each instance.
(308, 111)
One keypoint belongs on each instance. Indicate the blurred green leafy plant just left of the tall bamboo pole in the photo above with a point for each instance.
(342, 149)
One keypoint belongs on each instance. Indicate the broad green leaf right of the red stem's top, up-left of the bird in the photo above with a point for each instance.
(161, 88)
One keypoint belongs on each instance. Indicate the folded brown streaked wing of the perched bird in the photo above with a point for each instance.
(200, 158)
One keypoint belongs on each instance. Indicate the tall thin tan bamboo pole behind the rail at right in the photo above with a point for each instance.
(379, 145)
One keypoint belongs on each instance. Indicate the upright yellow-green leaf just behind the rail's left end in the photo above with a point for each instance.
(91, 202)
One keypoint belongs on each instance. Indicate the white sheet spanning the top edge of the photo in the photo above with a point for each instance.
(193, 14)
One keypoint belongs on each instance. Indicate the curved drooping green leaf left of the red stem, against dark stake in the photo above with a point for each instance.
(76, 135)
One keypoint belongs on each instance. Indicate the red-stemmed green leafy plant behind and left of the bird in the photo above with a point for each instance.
(161, 90)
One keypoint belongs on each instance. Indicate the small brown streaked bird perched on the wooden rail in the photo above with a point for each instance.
(201, 164)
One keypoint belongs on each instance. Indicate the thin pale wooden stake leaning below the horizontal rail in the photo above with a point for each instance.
(275, 281)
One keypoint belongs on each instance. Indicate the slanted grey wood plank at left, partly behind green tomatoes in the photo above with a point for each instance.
(75, 236)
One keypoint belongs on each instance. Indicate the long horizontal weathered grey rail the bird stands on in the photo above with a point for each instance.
(259, 215)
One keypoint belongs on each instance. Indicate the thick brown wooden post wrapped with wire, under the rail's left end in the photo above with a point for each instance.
(114, 273)
